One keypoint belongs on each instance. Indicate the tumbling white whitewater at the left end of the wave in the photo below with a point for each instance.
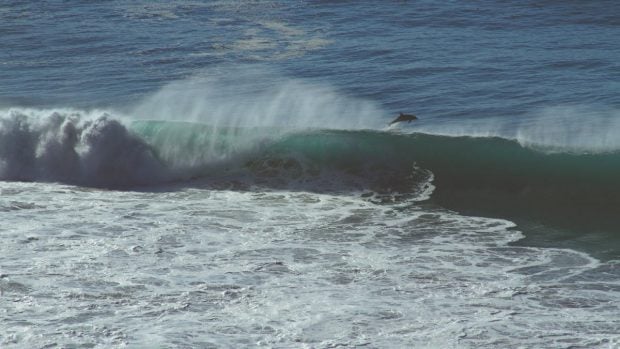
(72, 146)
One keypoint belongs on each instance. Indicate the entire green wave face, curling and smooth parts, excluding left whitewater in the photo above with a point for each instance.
(477, 175)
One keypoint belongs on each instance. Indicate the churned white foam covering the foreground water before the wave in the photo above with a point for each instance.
(201, 267)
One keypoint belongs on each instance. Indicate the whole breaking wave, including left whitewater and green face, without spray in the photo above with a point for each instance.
(491, 176)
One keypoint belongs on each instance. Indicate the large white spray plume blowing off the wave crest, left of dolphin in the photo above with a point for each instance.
(258, 96)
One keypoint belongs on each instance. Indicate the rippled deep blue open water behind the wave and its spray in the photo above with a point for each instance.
(438, 59)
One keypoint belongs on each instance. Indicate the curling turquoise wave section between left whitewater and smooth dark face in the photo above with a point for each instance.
(316, 160)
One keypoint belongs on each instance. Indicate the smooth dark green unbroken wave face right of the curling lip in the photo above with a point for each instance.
(500, 177)
